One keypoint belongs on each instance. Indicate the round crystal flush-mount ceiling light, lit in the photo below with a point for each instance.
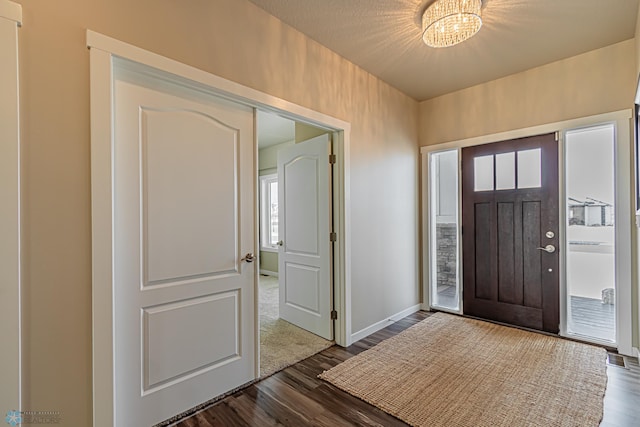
(448, 22)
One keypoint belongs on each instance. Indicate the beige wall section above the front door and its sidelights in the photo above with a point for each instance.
(596, 82)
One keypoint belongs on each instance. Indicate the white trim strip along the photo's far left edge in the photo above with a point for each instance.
(10, 310)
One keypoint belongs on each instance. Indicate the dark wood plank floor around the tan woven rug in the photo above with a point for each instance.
(296, 397)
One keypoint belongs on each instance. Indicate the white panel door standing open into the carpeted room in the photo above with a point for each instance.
(304, 259)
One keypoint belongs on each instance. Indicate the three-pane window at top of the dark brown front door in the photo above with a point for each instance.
(506, 171)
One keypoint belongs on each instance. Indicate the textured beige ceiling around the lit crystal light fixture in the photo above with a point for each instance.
(384, 37)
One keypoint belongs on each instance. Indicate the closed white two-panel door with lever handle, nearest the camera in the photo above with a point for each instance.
(183, 209)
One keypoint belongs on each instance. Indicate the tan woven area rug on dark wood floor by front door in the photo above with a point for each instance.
(452, 371)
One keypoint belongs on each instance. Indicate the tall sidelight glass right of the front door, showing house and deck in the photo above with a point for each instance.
(591, 227)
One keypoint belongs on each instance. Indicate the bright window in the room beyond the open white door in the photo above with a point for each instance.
(269, 213)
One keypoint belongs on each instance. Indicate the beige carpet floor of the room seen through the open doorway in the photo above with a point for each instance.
(281, 343)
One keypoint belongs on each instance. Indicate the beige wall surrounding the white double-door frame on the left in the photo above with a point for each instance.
(238, 41)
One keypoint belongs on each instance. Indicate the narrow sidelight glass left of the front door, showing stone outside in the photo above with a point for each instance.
(445, 283)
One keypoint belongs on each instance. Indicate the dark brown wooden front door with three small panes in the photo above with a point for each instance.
(510, 232)
